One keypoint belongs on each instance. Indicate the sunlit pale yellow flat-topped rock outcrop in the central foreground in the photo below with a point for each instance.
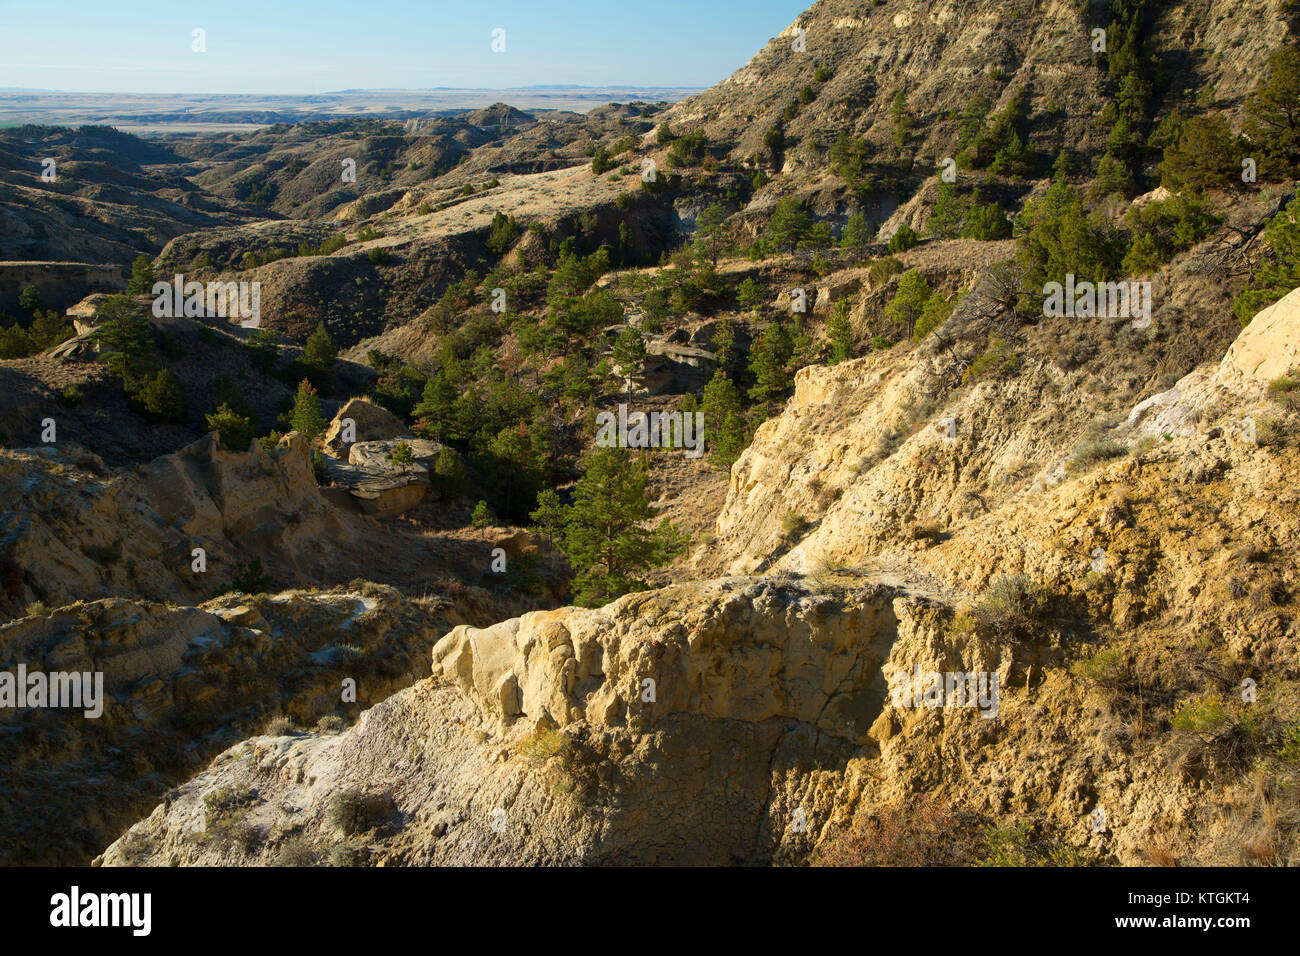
(583, 737)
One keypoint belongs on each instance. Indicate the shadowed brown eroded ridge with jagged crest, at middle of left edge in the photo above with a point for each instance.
(79, 530)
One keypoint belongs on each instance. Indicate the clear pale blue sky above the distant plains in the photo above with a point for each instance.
(313, 46)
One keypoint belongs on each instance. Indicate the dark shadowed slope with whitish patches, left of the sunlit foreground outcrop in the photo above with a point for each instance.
(180, 686)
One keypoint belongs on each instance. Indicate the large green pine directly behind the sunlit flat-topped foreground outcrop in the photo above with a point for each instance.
(605, 538)
